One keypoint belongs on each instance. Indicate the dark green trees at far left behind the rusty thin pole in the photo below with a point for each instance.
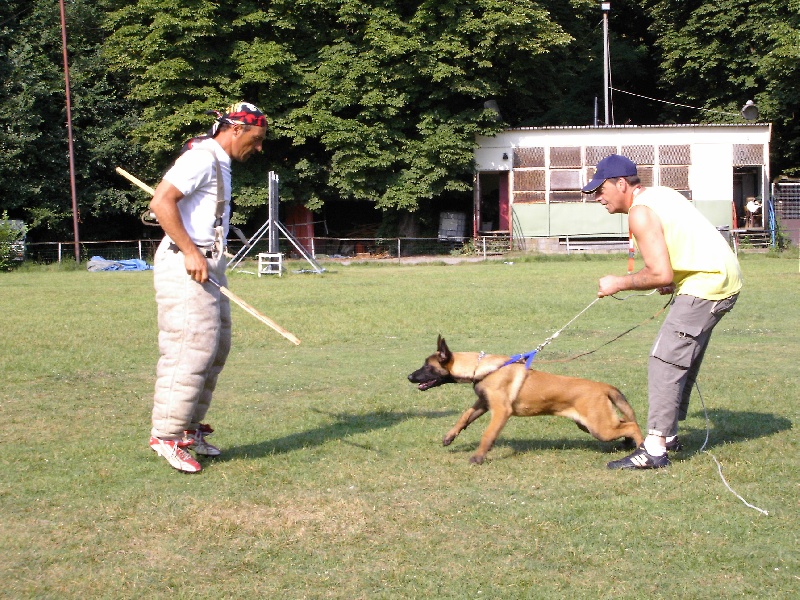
(34, 172)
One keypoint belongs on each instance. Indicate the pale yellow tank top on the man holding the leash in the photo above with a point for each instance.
(702, 261)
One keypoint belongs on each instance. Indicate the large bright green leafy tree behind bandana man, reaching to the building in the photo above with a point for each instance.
(376, 101)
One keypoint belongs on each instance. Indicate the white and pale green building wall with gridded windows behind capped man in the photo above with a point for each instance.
(548, 166)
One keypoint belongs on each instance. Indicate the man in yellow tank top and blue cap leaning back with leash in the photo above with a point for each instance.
(683, 253)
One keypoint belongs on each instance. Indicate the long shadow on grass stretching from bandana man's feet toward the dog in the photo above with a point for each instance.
(343, 425)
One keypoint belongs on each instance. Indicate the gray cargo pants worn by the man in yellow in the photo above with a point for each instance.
(676, 358)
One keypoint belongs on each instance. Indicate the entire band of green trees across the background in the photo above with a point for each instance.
(375, 101)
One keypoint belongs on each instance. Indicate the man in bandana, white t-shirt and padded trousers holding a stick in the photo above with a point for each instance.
(192, 205)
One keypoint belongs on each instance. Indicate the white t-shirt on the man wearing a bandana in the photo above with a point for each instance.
(194, 174)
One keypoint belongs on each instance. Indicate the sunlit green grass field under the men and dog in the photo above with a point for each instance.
(334, 482)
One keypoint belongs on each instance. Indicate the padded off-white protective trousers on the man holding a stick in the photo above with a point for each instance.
(194, 339)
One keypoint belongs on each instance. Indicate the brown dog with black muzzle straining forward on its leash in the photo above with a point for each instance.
(514, 390)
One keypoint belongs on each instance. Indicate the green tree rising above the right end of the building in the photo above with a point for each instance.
(717, 55)
